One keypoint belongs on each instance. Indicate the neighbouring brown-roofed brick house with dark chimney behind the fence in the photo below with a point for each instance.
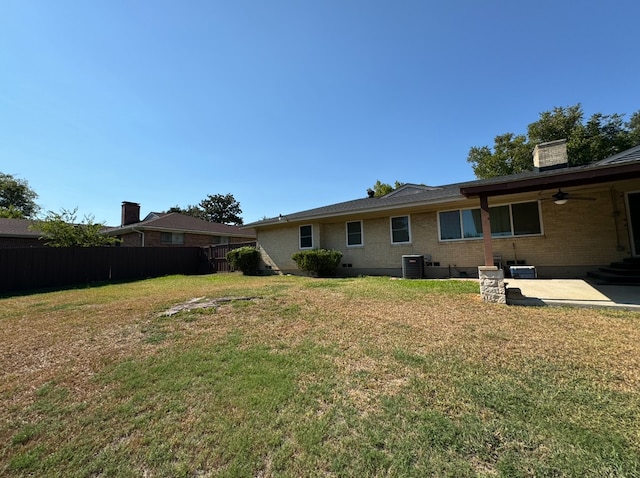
(174, 230)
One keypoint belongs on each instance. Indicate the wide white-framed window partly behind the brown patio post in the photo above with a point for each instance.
(521, 219)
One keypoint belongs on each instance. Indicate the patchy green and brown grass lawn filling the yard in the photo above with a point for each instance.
(313, 377)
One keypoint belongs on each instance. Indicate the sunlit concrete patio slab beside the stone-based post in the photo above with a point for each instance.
(571, 292)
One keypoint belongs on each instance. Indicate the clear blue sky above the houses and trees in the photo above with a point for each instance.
(288, 104)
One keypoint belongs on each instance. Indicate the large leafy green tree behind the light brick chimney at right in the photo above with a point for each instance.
(599, 137)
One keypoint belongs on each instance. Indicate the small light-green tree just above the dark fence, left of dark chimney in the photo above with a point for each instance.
(62, 230)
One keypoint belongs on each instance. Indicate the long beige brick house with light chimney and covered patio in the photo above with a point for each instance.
(564, 221)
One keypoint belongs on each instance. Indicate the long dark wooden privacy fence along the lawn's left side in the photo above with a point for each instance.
(49, 267)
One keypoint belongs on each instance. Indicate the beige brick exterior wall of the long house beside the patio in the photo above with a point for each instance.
(577, 234)
